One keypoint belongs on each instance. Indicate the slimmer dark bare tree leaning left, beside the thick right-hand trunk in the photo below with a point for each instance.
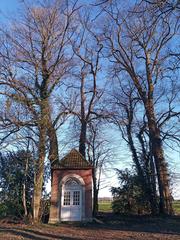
(133, 129)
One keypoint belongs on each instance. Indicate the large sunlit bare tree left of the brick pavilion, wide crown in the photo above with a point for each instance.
(35, 58)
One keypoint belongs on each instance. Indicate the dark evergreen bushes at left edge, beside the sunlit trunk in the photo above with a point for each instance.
(16, 182)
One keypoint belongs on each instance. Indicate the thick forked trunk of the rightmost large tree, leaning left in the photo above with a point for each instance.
(165, 204)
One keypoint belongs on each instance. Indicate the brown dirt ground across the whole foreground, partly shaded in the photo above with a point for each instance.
(106, 227)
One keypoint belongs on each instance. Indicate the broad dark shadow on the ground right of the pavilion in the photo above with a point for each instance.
(162, 225)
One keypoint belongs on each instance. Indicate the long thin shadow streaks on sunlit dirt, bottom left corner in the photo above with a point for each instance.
(33, 234)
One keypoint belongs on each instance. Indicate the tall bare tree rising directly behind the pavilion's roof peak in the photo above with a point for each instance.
(87, 49)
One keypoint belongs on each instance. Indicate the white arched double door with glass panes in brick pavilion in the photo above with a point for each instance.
(71, 202)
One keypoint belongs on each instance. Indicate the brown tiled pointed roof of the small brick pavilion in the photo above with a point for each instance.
(73, 160)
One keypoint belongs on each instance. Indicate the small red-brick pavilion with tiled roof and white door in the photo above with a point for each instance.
(71, 193)
